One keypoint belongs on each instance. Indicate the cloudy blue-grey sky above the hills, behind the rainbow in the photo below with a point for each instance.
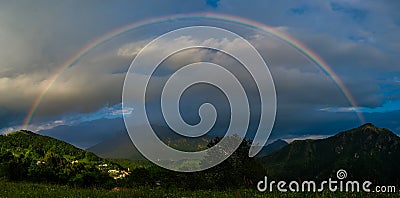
(358, 39)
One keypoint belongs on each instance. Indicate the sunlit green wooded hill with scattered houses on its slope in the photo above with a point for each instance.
(27, 156)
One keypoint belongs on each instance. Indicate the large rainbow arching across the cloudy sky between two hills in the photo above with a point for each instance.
(301, 48)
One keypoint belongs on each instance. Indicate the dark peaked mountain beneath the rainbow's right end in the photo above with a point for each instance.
(366, 152)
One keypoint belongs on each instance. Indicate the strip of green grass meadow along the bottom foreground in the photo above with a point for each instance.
(23, 189)
